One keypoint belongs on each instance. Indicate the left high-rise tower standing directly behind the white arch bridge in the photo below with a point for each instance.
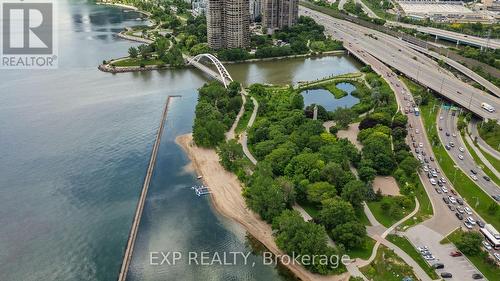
(228, 23)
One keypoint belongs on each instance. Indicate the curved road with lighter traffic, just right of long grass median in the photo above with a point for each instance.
(450, 137)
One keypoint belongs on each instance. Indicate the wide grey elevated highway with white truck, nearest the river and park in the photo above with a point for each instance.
(397, 54)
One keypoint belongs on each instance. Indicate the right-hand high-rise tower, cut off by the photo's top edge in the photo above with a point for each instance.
(277, 14)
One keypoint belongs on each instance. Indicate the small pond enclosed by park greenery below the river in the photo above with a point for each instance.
(327, 100)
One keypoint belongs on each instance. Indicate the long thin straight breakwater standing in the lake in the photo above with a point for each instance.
(127, 257)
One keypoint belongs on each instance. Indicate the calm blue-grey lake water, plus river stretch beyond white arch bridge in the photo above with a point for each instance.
(75, 145)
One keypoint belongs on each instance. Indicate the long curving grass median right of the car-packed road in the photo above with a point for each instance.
(462, 183)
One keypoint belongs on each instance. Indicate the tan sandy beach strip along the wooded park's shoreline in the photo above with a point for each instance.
(227, 199)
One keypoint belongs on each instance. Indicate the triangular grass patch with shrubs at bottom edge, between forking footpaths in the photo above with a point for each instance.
(387, 266)
